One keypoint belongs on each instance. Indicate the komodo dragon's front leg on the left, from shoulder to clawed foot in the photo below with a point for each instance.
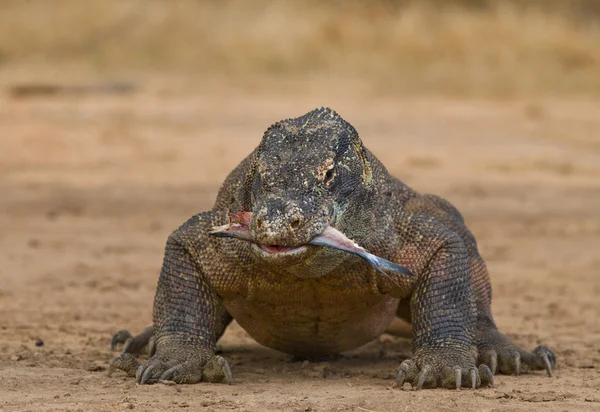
(187, 317)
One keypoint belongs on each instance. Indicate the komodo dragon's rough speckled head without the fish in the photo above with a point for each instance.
(308, 171)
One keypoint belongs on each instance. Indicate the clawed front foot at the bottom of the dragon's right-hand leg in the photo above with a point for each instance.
(442, 372)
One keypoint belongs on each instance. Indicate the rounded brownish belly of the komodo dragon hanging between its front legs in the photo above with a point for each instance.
(313, 319)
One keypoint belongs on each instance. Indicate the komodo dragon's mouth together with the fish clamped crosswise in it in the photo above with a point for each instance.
(239, 228)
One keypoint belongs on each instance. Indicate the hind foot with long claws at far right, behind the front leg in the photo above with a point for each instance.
(501, 355)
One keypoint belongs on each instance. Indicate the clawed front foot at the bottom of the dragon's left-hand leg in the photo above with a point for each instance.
(185, 367)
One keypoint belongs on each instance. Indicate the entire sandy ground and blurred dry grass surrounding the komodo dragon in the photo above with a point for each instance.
(120, 119)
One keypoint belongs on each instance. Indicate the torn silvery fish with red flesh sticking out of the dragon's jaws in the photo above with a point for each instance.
(238, 228)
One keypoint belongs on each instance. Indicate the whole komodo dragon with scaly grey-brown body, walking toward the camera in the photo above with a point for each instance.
(310, 175)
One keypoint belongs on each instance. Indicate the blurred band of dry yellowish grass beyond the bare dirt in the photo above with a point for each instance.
(449, 47)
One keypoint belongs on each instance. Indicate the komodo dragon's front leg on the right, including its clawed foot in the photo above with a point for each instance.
(444, 316)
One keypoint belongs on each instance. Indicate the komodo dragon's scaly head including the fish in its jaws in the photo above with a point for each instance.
(309, 197)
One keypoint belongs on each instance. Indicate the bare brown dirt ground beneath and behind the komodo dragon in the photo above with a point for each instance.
(90, 187)
